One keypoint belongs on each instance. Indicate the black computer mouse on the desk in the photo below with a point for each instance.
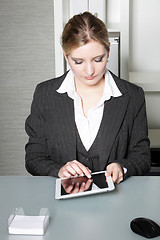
(145, 227)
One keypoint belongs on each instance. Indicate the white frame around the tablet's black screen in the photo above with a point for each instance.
(58, 195)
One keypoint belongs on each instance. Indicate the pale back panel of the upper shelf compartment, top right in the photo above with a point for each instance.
(144, 35)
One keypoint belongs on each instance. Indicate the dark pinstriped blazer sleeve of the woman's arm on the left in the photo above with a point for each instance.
(37, 159)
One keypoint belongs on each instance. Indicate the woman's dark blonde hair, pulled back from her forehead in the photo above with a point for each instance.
(83, 28)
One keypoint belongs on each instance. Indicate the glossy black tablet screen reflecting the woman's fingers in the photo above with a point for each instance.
(83, 184)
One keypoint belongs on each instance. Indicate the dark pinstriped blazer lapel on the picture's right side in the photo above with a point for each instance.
(114, 112)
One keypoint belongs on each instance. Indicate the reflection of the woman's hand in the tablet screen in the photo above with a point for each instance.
(76, 185)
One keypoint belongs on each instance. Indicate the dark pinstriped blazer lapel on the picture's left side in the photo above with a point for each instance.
(64, 126)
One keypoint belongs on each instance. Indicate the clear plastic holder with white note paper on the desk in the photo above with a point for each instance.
(18, 223)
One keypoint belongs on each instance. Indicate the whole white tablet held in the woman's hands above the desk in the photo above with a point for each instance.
(81, 185)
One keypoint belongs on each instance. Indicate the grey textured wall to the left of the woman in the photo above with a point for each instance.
(27, 57)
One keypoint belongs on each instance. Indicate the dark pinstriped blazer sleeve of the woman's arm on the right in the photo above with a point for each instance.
(138, 158)
